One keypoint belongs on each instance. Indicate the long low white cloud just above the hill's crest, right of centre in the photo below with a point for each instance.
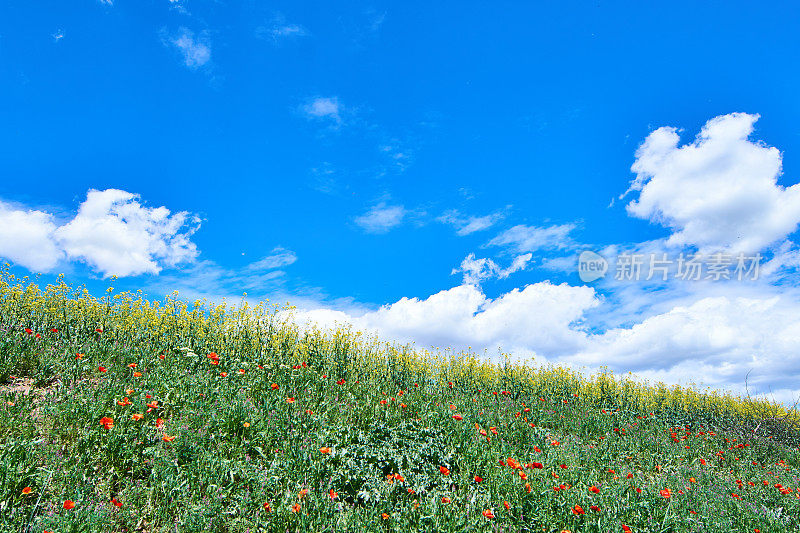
(537, 319)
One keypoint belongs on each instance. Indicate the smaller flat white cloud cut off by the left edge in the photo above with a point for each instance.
(26, 238)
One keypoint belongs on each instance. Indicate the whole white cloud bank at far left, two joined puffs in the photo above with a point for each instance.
(112, 232)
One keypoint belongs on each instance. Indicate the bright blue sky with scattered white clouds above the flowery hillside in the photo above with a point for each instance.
(430, 172)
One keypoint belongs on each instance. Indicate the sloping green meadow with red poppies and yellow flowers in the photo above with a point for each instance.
(121, 414)
